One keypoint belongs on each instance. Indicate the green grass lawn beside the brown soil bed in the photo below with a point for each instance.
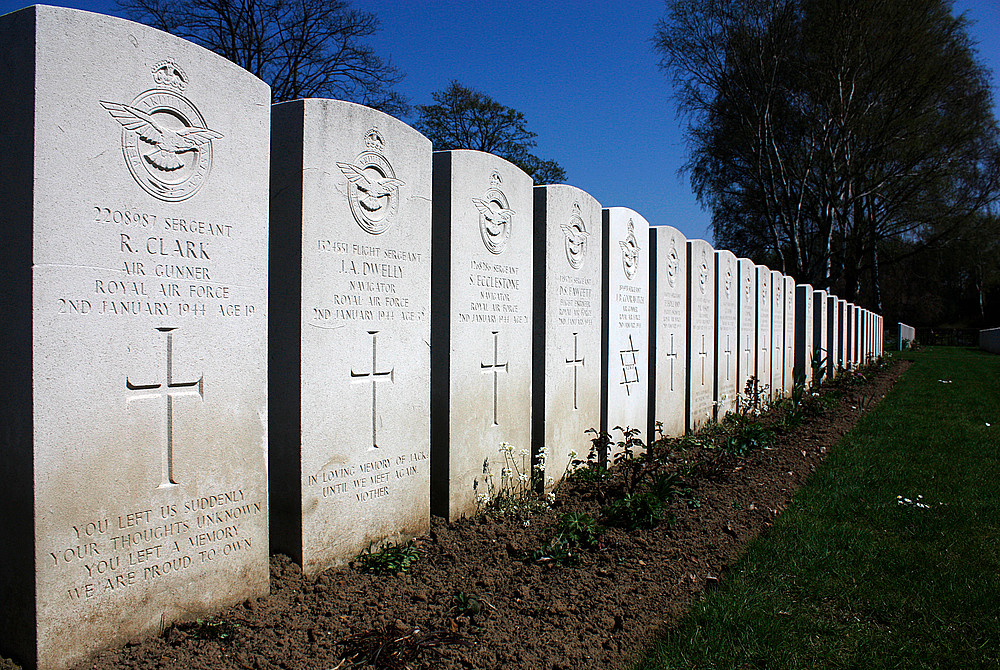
(853, 576)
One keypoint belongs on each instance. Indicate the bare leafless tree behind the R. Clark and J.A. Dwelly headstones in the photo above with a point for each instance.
(302, 48)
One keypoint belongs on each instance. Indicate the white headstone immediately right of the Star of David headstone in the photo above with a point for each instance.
(668, 331)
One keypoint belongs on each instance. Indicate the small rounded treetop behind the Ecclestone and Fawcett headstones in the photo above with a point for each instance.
(463, 118)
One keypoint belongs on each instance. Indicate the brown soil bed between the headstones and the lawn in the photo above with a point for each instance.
(599, 614)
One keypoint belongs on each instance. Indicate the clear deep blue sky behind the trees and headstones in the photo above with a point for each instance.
(583, 73)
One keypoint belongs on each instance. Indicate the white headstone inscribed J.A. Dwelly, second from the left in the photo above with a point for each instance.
(350, 258)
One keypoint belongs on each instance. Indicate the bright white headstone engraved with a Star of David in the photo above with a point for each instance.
(624, 386)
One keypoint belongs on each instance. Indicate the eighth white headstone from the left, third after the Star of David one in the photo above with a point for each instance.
(726, 335)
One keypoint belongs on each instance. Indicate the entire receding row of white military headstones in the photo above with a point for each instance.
(210, 373)
